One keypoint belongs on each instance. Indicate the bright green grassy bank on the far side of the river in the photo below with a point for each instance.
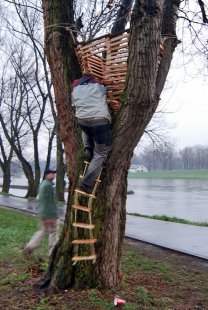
(171, 174)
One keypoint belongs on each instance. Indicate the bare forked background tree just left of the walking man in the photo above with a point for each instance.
(38, 110)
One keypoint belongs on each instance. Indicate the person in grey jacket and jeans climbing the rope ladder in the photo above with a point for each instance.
(89, 99)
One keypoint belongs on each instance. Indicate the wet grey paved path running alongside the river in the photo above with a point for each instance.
(184, 238)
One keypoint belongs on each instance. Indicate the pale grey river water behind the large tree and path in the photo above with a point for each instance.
(187, 199)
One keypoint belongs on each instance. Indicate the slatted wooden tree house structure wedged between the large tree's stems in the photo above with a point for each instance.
(106, 58)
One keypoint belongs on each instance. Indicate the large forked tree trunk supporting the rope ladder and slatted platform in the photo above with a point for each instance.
(139, 102)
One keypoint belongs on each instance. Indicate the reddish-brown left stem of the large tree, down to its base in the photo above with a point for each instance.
(64, 66)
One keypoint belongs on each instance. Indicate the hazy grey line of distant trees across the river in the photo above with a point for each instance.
(166, 157)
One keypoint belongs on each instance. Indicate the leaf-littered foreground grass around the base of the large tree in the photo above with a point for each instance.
(148, 281)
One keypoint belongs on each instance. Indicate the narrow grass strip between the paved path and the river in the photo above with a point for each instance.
(170, 219)
